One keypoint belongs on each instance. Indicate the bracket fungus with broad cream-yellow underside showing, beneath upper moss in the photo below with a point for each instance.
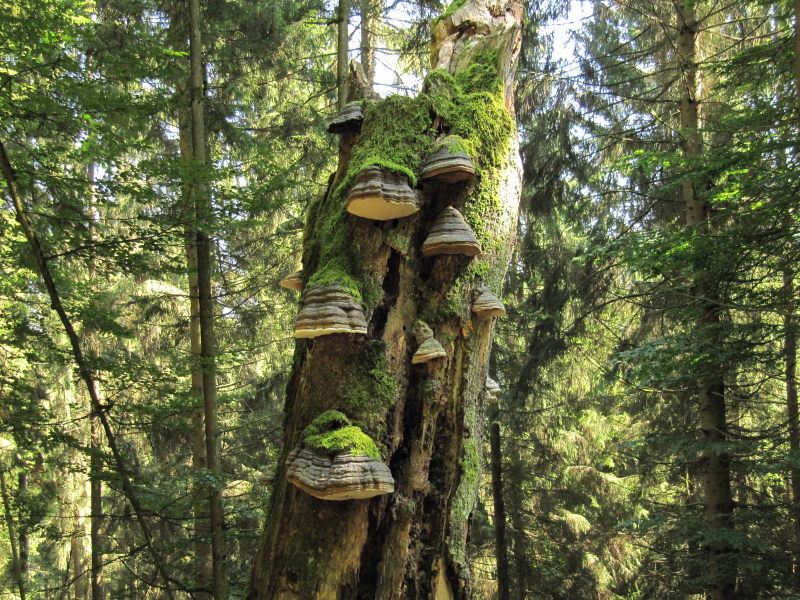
(380, 194)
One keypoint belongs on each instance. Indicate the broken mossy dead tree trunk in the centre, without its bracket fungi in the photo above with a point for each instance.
(425, 419)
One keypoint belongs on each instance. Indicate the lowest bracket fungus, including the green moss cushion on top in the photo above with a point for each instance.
(337, 461)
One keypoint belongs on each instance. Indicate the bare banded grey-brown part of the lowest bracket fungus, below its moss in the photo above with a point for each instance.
(343, 476)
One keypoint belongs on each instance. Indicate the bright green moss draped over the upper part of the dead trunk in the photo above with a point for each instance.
(397, 134)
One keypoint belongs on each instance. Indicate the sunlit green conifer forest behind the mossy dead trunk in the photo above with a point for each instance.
(645, 443)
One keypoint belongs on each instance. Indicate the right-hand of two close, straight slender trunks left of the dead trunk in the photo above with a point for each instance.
(204, 216)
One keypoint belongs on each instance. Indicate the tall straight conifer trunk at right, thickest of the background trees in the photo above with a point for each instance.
(715, 463)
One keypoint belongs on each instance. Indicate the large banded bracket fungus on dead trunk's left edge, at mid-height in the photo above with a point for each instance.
(328, 309)
